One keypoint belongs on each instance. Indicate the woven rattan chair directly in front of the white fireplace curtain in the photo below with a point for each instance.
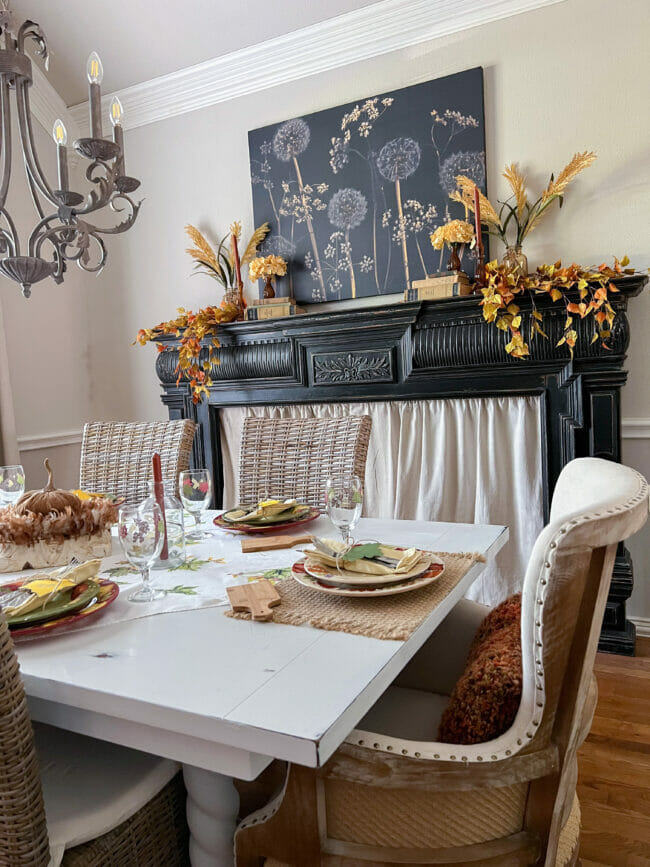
(293, 457)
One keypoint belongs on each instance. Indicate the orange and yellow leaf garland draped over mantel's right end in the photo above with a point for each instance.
(591, 285)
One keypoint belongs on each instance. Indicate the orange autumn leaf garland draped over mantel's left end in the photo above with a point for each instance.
(195, 358)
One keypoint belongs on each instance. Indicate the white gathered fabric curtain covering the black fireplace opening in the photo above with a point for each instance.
(474, 460)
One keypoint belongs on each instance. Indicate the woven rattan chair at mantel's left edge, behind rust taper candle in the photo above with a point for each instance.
(116, 456)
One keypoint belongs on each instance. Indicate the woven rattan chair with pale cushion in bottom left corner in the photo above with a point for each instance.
(68, 779)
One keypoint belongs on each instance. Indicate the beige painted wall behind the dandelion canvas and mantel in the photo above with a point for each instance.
(569, 77)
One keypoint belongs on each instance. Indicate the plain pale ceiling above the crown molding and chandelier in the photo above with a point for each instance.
(141, 39)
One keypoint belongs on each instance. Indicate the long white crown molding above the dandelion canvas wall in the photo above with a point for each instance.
(355, 36)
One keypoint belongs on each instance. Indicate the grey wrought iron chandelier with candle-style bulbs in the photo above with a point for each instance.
(63, 233)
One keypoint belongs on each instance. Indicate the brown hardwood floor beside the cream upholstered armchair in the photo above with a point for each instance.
(614, 781)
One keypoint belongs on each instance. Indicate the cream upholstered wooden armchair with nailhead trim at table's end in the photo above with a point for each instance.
(391, 795)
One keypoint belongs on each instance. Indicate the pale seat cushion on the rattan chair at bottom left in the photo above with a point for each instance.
(92, 786)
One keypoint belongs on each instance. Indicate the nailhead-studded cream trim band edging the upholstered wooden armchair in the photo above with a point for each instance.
(512, 741)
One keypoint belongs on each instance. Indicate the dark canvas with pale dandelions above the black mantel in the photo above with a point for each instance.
(353, 193)
